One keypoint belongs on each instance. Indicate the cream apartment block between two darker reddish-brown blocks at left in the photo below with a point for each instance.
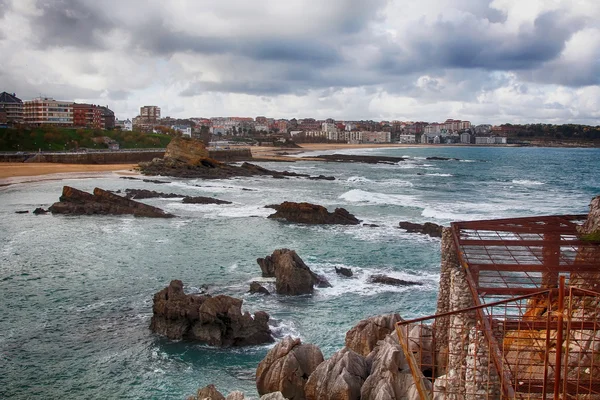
(47, 111)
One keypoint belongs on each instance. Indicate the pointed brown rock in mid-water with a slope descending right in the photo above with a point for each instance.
(292, 275)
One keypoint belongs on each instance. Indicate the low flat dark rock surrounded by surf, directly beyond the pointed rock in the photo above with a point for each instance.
(307, 213)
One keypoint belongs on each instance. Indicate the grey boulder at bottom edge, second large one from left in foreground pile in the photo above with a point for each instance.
(340, 377)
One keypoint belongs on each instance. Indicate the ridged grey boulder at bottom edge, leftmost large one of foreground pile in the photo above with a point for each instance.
(287, 367)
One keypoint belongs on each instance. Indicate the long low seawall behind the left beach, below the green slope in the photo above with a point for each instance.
(114, 156)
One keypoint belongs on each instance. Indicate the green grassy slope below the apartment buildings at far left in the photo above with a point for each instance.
(51, 138)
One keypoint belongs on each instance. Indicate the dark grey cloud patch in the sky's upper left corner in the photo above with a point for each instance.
(70, 23)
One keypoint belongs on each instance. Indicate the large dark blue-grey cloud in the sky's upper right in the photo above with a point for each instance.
(470, 44)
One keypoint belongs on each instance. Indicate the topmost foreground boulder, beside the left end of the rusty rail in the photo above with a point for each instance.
(364, 336)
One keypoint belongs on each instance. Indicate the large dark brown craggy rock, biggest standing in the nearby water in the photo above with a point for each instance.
(217, 321)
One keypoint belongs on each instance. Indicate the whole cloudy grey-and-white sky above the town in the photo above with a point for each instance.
(484, 61)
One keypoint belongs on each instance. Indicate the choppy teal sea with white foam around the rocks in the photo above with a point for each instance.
(76, 291)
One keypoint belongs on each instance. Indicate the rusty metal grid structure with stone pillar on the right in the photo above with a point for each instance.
(533, 330)
